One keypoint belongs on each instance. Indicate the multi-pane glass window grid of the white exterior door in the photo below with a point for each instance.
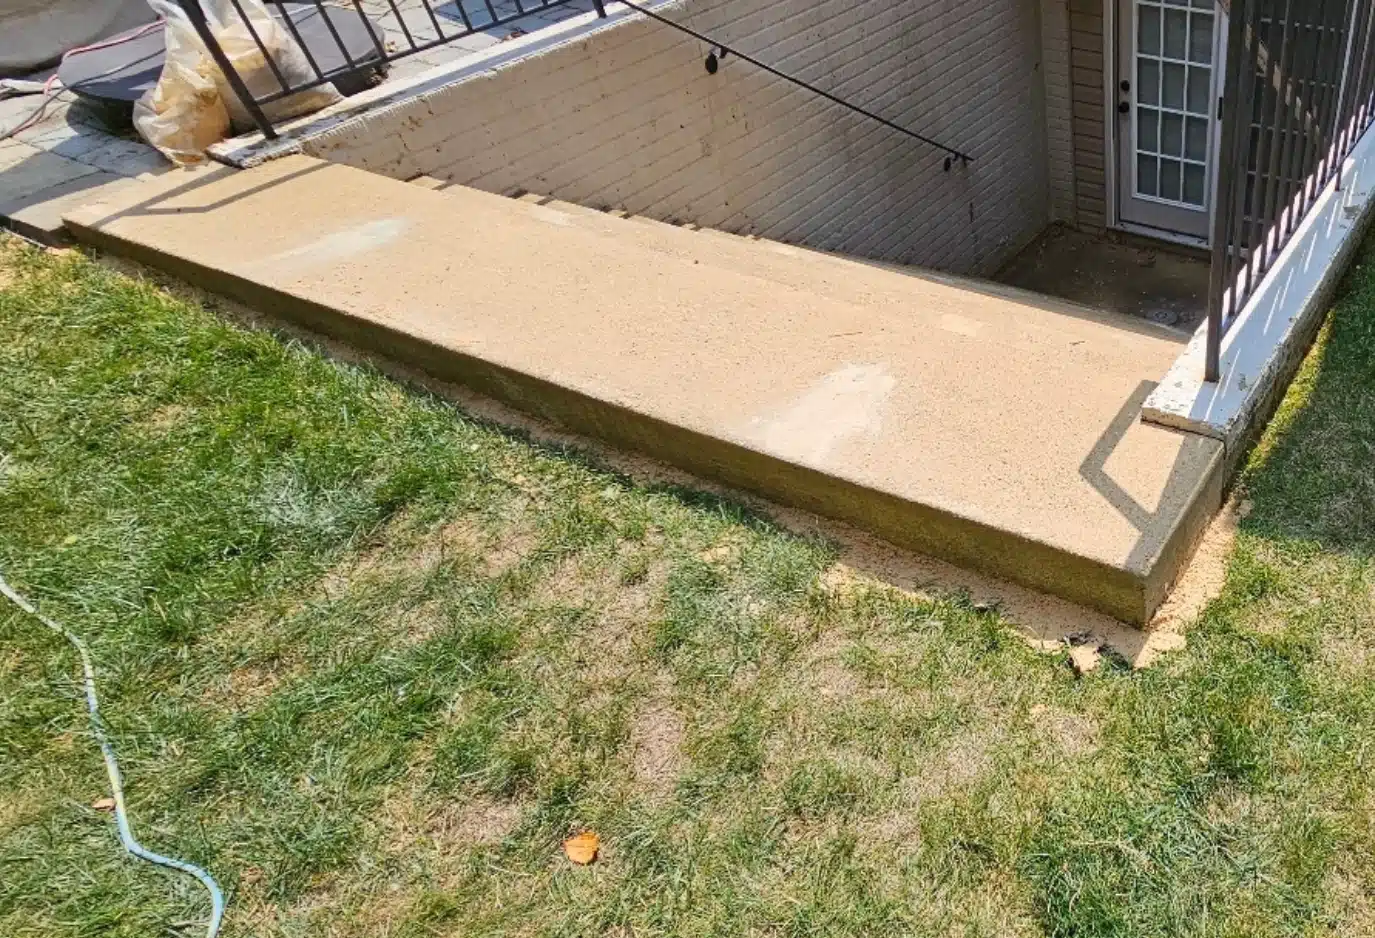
(1174, 97)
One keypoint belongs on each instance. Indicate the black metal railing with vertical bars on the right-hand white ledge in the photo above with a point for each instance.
(1297, 100)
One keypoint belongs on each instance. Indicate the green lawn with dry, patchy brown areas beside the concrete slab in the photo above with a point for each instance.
(371, 661)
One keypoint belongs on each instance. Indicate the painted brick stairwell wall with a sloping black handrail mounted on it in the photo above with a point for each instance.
(628, 118)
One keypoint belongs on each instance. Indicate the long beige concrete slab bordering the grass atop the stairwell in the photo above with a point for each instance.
(995, 428)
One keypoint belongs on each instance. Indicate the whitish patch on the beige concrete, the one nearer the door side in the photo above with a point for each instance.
(845, 405)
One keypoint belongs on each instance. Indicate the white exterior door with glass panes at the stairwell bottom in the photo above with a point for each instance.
(1168, 69)
